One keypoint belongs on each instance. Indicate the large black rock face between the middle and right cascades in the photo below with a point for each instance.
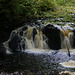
(53, 35)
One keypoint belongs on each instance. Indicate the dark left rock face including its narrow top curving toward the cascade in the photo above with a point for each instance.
(16, 41)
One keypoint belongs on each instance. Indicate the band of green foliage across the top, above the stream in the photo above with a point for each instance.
(15, 9)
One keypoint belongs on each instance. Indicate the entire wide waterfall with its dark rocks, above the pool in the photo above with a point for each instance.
(49, 37)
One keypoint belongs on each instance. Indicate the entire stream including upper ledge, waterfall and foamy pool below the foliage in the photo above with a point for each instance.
(29, 48)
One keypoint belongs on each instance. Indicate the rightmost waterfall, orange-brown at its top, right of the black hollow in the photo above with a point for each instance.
(66, 37)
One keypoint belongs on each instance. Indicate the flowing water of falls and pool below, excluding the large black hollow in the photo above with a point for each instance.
(35, 51)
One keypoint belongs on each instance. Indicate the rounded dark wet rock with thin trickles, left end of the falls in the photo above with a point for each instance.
(16, 43)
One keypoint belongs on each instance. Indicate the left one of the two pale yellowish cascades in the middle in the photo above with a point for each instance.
(29, 38)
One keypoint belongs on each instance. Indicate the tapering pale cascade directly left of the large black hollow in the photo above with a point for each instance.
(39, 41)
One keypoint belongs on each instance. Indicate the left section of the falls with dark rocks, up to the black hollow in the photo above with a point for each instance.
(23, 38)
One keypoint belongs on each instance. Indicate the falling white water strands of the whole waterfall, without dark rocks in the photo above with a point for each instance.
(39, 42)
